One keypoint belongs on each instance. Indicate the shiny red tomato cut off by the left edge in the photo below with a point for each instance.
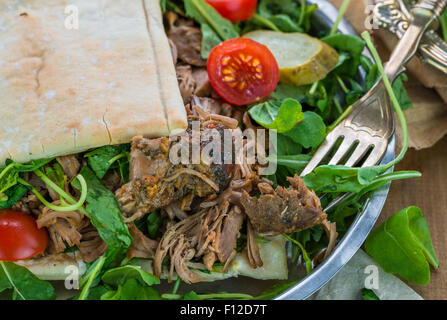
(20, 238)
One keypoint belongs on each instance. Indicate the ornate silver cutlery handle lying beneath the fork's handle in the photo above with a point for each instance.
(395, 16)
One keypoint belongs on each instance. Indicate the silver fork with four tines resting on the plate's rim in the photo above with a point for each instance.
(370, 124)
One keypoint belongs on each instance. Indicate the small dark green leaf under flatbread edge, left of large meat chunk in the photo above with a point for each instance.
(100, 159)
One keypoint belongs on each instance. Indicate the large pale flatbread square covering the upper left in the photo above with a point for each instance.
(65, 90)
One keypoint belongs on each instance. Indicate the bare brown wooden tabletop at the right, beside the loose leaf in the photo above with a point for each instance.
(430, 194)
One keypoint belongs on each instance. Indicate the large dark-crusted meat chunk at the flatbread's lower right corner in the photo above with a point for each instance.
(156, 182)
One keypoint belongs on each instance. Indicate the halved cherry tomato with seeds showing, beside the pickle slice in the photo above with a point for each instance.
(242, 71)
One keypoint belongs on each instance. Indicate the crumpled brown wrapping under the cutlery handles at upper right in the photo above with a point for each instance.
(427, 87)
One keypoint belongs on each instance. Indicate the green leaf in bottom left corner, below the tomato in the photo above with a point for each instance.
(25, 284)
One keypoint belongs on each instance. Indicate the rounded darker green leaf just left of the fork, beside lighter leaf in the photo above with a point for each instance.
(310, 132)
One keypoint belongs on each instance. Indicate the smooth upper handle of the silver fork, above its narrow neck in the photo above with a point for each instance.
(424, 14)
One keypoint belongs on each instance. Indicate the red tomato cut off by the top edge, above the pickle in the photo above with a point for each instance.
(235, 10)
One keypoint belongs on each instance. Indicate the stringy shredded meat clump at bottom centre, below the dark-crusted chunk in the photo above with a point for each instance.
(210, 234)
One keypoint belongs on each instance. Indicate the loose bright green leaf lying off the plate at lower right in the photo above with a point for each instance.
(402, 245)
